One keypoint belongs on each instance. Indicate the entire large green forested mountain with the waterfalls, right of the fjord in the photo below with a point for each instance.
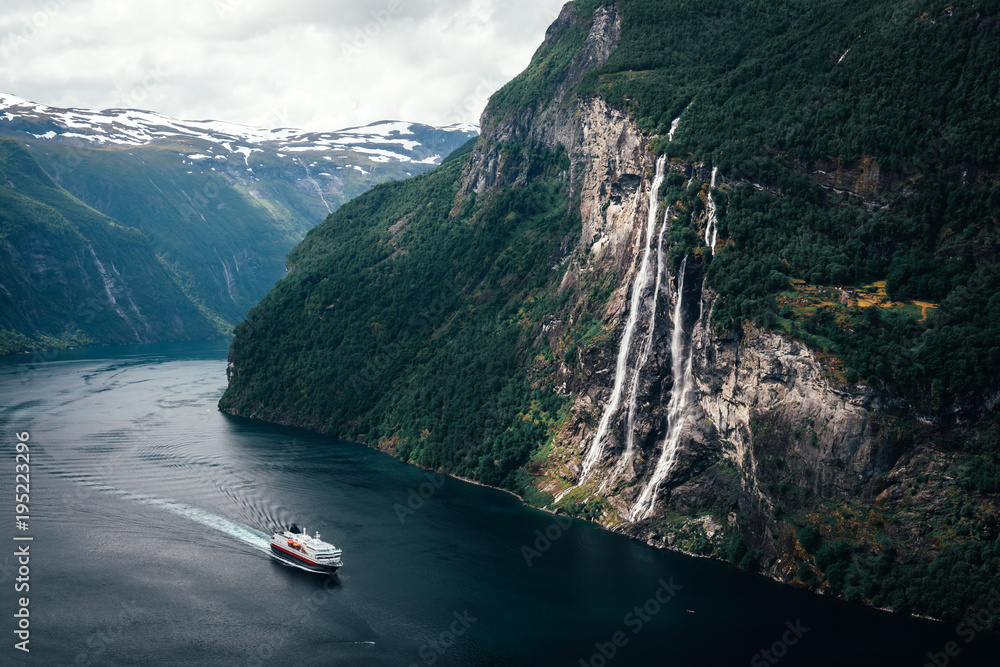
(838, 425)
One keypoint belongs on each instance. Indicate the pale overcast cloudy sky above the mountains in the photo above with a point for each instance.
(311, 64)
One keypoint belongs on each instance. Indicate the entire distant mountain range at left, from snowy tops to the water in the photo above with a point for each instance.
(217, 206)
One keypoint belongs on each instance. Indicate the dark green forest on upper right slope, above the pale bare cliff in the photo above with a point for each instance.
(907, 89)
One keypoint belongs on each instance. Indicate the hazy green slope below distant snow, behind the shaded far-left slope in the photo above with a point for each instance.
(223, 248)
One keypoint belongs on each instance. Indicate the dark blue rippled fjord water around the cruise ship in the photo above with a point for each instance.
(150, 512)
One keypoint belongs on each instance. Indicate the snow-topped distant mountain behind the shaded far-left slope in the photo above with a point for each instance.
(220, 204)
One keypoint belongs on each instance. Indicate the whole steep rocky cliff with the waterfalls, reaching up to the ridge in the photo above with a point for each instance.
(676, 432)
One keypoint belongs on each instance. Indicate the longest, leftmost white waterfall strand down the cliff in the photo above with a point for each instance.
(621, 369)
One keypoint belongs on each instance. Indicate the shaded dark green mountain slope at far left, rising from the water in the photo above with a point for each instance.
(72, 276)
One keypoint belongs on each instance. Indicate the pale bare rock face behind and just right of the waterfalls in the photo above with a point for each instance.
(737, 378)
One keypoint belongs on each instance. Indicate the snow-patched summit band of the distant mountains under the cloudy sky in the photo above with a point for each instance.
(333, 166)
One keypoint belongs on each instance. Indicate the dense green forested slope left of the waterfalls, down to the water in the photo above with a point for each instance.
(401, 322)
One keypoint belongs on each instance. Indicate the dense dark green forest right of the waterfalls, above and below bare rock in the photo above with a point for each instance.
(772, 93)
